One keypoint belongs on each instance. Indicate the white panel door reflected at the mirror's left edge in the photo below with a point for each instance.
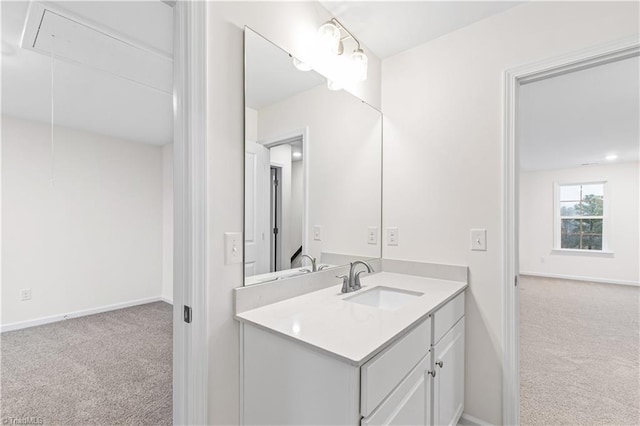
(256, 199)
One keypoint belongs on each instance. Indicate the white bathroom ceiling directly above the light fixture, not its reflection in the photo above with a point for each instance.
(390, 27)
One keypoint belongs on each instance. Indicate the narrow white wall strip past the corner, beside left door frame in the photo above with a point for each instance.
(167, 222)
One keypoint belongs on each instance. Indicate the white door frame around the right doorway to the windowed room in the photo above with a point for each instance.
(513, 78)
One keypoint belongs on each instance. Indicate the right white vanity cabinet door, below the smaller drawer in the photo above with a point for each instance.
(448, 389)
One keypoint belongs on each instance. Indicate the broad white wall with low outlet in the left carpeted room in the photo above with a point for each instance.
(90, 238)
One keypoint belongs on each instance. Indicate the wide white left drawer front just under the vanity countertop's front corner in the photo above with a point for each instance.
(385, 371)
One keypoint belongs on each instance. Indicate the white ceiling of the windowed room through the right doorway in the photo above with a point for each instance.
(581, 117)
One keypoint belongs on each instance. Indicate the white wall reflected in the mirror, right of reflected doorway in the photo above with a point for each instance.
(344, 151)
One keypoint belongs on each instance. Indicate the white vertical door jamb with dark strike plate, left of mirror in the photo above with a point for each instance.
(190, 349)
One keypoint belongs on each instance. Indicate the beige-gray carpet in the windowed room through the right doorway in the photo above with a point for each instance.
(579, 353)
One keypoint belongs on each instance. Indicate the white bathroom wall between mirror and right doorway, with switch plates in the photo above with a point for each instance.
(443, 106)
